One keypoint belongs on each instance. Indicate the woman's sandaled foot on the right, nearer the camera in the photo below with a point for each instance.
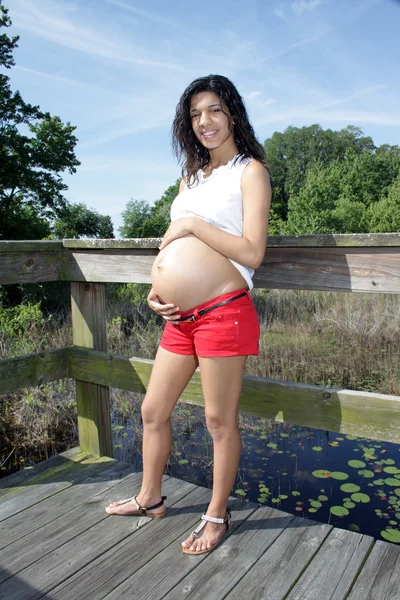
(208, 535)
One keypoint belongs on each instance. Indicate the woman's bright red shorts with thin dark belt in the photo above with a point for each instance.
(229, 330)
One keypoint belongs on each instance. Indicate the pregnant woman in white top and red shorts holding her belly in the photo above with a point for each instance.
(200, 286)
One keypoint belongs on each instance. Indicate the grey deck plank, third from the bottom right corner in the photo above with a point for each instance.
(283, 562)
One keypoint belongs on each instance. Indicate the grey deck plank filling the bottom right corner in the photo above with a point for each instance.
(380, 576)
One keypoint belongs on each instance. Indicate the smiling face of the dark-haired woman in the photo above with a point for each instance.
(210, 122)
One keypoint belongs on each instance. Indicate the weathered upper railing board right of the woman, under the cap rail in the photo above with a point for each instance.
(342, 269)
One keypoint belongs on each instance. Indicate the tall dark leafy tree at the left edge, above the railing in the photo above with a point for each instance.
(35, 149)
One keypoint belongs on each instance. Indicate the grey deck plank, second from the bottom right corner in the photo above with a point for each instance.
(334, 568)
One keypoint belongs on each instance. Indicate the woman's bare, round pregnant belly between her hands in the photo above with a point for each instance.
(188, 272)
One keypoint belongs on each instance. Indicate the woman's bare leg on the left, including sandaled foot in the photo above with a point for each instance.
(169, 377)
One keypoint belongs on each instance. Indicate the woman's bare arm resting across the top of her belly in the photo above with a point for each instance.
(250, 248)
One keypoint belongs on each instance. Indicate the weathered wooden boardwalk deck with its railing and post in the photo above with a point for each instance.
(56, 541)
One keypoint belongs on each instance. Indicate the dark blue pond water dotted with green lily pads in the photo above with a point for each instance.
(351, 483)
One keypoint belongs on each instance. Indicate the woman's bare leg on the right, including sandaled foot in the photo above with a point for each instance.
(221, 379)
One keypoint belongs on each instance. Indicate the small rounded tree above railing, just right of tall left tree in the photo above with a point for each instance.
(76, 220)
